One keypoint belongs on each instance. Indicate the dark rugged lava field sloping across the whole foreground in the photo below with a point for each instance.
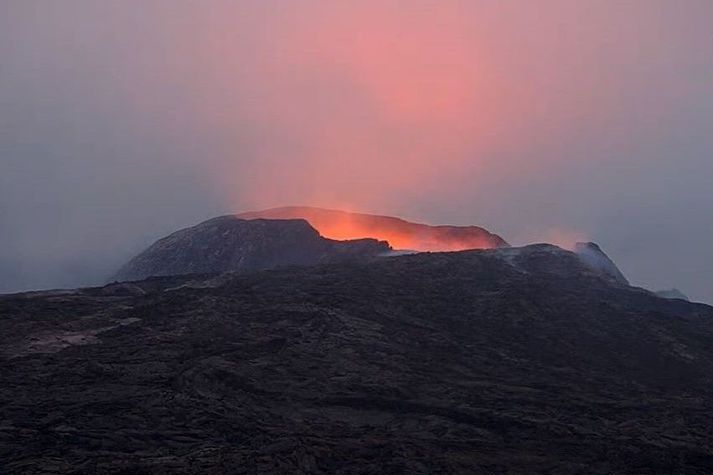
(513, 361)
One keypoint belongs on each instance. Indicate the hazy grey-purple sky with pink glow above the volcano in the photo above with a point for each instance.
(122, 120)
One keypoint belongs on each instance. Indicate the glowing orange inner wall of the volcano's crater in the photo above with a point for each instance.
(399, 233)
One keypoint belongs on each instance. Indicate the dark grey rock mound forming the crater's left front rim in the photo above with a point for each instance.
(230, 244)
